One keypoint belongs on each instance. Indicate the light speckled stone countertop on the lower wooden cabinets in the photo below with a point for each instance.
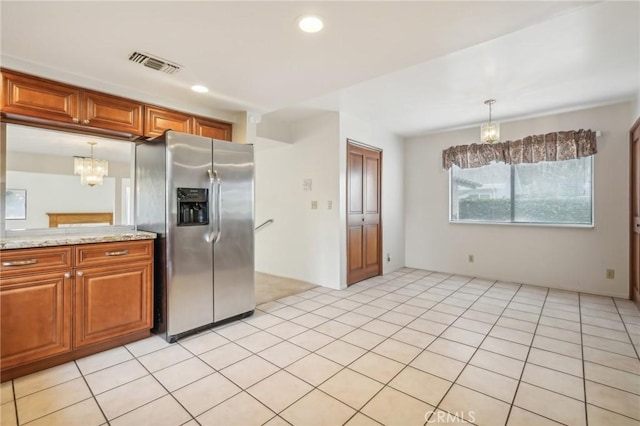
(31, 239)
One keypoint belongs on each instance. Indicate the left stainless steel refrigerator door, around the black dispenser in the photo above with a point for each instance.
(189, 253)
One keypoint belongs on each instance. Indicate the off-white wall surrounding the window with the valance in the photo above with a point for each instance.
(565, 258)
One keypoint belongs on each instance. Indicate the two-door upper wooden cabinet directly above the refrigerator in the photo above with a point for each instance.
(157, 120)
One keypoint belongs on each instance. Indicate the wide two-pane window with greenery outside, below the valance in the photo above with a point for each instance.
(557, 192)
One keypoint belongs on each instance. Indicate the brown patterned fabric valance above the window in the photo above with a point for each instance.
(555, 146)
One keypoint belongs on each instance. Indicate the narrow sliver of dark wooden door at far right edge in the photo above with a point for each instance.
(635, 212)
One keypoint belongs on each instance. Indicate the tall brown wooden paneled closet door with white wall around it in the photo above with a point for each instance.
(364, 228)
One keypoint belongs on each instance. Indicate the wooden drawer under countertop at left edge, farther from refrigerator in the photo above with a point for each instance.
(29, 261)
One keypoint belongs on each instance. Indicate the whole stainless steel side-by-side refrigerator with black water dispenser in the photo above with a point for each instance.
(197, 194)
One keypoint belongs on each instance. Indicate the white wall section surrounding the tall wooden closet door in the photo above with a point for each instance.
(392, 189)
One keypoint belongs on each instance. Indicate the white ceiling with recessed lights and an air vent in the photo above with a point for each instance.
(413, 67)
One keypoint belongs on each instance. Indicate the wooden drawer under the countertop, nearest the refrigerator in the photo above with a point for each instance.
(113, 253)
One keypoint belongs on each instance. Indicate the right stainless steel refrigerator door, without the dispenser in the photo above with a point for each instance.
(234, 291)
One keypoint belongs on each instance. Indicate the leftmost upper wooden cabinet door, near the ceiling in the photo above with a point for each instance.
(39, 98)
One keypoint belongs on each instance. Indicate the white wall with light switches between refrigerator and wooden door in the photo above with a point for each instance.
(302, 243)
